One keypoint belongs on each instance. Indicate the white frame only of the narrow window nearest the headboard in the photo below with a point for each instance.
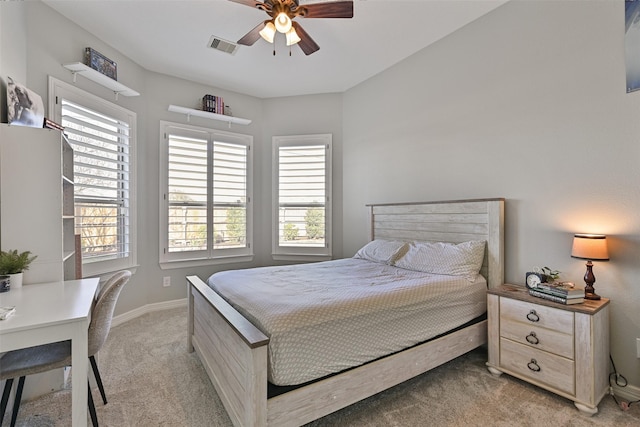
(290, 253)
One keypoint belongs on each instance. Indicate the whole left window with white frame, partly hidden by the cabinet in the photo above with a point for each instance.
(102, 136)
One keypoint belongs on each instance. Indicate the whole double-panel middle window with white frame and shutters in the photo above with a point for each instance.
(206, 201)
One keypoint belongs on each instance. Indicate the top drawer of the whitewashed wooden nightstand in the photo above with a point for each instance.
(545, 317)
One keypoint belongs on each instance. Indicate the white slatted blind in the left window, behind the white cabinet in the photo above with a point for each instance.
(102, 180)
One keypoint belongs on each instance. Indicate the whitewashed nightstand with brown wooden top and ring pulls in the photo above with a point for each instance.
(561, 348)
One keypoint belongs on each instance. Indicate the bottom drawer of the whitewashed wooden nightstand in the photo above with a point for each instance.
(537, 365)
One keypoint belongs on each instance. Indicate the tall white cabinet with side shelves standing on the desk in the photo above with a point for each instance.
(36, 200)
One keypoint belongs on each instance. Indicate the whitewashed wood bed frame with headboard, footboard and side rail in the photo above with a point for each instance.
(234, 352)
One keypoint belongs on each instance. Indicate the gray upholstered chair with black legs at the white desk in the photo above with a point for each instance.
(42, 358)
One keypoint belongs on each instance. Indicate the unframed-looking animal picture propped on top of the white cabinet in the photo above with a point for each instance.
(24, 107)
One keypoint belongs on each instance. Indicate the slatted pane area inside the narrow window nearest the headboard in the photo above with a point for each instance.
(302, 195)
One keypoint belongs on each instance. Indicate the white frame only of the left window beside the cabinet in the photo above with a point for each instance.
(58, 89)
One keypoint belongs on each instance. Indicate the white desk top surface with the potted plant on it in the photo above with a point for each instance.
(47, 304)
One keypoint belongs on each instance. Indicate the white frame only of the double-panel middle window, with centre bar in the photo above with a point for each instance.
(211, 256)
